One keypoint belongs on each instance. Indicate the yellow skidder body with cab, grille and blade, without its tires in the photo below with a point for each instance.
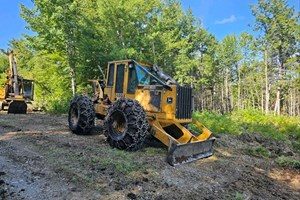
(168, 108)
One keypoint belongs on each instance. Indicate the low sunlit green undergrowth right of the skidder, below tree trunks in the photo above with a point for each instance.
(251, 121)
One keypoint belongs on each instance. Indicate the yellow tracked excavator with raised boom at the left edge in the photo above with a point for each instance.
(17, 91)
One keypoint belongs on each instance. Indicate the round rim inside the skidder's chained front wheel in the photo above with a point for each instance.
(117, 125)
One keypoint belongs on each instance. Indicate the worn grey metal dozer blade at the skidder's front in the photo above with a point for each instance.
(184, 153)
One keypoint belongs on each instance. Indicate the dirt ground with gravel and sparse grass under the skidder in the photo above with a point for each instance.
(41, 159)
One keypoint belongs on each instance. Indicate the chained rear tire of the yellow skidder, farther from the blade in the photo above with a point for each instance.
(81, 115)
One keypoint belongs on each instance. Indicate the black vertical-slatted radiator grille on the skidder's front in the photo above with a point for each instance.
(184, 105)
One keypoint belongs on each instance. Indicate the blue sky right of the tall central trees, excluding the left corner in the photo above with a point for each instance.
(222, 17)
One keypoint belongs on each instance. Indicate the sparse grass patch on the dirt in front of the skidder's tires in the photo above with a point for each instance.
(71, 162)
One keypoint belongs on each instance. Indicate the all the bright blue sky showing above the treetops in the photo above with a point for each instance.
(219, 17)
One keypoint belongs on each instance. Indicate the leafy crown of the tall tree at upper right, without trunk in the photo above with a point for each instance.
(279, 26)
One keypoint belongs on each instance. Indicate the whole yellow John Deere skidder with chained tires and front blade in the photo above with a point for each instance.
(137, 99)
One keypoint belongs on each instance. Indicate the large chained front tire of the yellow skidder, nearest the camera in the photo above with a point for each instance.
(126, 125)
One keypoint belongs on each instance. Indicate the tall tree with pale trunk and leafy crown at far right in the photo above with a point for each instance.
(278, 27)
